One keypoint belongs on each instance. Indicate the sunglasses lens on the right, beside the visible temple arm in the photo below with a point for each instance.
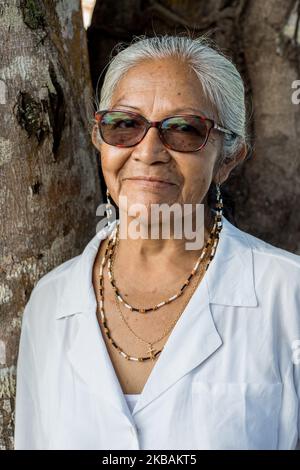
(183, 133)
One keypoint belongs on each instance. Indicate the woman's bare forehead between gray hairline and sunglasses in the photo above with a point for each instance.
(166, 83)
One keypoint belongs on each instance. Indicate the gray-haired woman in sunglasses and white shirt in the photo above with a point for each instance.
(140, 342)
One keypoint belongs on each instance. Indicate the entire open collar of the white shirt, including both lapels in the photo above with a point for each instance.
(193, 340)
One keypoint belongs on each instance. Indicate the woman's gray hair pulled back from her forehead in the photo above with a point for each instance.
(221, 82)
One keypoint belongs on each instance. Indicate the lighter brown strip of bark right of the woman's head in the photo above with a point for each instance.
(272, 56)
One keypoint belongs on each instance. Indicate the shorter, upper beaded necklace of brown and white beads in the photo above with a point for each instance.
(209, 242)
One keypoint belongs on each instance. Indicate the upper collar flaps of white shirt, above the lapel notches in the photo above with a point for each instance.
(229, 279)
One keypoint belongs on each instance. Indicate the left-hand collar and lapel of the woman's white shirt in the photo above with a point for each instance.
(87, 352)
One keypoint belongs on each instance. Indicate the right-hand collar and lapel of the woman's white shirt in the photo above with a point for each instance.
(228, 281)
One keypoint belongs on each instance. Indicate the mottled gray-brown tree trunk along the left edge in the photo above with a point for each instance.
(49, 186)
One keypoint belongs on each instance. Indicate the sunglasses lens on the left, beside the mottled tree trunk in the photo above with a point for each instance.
(121, 129)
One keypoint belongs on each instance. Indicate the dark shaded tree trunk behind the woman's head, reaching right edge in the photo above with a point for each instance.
(262, 38)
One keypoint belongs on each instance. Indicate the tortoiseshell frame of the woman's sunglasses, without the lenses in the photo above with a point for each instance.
(157, 124)
